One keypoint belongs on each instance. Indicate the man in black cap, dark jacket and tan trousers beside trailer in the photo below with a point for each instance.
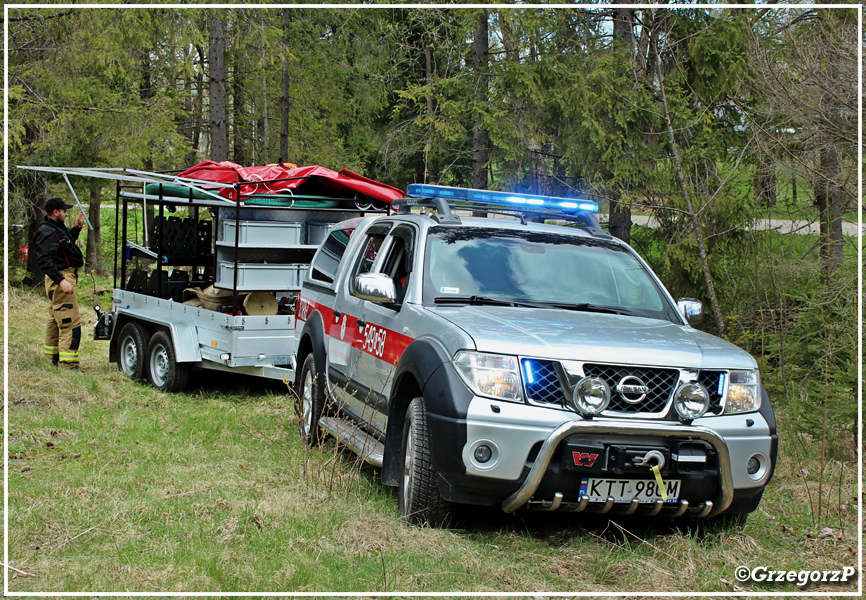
(60, 259)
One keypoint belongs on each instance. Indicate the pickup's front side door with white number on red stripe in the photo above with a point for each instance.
(382, 339)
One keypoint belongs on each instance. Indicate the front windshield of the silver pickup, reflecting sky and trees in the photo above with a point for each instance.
(540, 269)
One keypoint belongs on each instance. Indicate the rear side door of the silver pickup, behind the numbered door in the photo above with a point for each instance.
(344, 335)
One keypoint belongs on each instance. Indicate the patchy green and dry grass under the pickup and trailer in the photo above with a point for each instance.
(116, 487)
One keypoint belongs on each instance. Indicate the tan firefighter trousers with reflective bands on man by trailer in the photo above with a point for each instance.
(63, 328)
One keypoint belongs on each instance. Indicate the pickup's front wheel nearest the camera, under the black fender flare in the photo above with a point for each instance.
(420, 500)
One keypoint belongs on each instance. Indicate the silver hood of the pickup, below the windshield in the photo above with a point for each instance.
(582, 336)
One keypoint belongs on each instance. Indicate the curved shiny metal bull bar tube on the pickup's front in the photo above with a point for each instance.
(600, 427)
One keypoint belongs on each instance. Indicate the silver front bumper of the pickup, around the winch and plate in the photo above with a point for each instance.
(528, 442)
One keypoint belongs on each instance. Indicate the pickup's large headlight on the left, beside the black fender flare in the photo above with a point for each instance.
(491, 375)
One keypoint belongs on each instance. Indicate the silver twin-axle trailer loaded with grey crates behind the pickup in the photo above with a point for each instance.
(207, 274)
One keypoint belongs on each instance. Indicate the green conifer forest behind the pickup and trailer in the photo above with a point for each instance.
(707, 120)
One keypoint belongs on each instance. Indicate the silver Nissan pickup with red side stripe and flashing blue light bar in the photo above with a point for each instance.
(514, 363)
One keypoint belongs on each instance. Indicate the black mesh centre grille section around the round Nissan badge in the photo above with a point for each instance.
(660, 382)
